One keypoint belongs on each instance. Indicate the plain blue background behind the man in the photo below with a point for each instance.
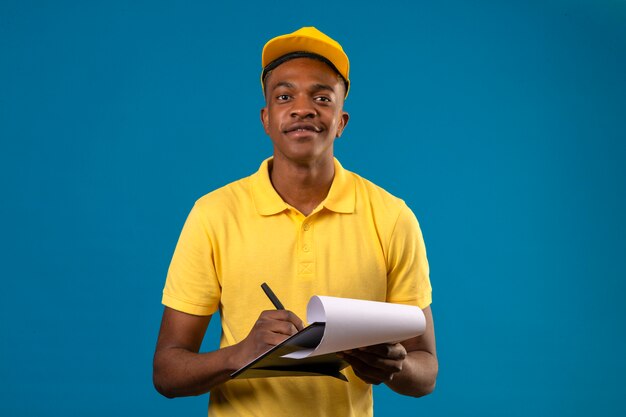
(502, 124)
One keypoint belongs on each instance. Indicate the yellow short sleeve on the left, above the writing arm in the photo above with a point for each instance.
(192, 285)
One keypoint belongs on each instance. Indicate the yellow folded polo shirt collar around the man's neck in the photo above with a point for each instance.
(341, 196)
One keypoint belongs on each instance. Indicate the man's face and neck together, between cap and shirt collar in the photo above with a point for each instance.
(303, 116)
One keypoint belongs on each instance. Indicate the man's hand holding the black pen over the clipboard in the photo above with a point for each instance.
(271, 328)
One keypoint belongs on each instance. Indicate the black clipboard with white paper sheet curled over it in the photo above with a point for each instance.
(338, 324)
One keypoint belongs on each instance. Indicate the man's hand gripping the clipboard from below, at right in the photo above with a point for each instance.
(377, 363)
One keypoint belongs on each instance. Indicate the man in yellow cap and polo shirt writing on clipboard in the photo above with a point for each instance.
(307, 227)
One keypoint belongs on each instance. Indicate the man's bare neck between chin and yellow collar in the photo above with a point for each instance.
(302, 186)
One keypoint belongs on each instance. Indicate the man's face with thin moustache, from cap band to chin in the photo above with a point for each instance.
(304, 110)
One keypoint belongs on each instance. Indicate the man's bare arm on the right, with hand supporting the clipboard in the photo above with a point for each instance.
(409, 367)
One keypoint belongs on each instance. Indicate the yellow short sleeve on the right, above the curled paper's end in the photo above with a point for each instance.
(408, 279)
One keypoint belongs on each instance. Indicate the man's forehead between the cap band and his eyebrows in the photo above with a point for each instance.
(302, 71)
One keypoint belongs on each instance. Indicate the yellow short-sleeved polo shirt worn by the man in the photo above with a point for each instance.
(360, 242)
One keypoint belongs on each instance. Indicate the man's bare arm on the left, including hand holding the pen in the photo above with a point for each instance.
(179, 370)
